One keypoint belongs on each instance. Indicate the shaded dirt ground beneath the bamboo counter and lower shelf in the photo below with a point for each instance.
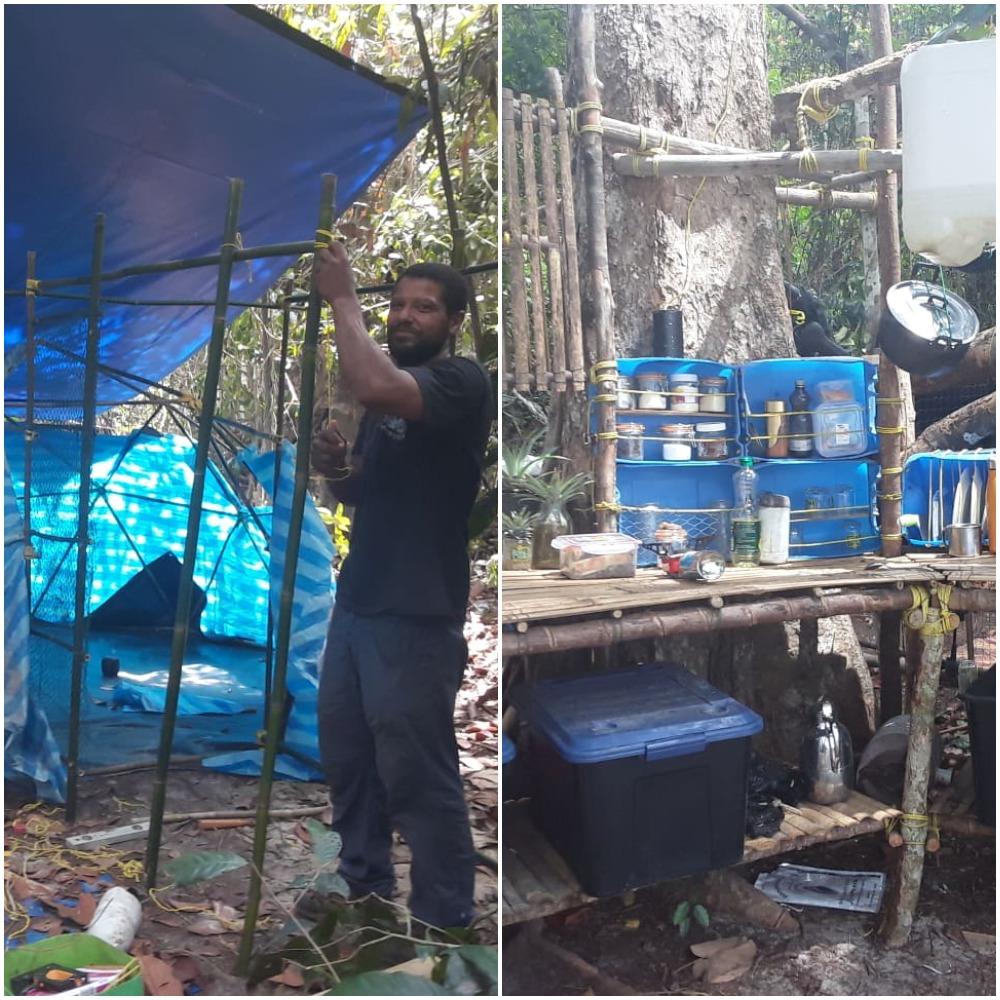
(836, 953)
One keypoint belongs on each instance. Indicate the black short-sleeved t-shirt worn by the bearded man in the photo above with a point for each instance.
(419, 480)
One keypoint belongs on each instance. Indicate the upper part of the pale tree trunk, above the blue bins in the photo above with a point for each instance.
(653, 62)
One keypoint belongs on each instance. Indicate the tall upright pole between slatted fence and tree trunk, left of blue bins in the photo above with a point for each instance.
(602, 342)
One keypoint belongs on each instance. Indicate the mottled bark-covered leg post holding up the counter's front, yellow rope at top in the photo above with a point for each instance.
(904, 883)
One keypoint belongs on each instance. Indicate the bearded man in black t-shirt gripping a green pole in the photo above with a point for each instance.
(395, 651)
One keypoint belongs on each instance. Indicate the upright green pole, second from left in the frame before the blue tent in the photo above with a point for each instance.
(80, 655)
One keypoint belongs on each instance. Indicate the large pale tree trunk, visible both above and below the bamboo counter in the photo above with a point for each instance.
(709, 245)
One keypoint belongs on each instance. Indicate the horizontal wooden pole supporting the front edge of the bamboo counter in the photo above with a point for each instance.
(648, 624)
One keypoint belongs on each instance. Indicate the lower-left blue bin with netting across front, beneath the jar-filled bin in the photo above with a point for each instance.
(682, 493)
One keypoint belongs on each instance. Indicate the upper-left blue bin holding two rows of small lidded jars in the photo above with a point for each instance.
(652, 419)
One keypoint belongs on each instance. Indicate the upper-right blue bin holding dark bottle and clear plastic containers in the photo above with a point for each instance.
(775, 379)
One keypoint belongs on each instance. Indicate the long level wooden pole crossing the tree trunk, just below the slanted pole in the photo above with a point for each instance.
(795, 164)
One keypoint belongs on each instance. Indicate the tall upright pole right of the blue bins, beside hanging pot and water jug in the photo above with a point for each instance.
(893, 384)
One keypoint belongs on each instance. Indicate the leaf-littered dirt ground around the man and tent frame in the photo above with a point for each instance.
(196, 930)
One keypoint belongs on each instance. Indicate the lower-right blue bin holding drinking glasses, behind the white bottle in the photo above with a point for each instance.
(826, 533)
